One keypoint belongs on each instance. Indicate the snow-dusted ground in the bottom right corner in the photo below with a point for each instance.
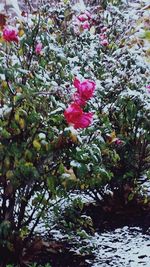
(124, 247)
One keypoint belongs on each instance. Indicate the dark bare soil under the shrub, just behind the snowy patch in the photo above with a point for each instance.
(112, 214)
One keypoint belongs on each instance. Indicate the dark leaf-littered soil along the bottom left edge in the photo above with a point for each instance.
(41, 252)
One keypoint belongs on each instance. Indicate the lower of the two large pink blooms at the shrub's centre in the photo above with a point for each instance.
(74, 115)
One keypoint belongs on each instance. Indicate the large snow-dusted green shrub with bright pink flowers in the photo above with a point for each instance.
(41, 156)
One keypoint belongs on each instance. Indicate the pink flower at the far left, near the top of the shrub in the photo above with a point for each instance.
(10, 34)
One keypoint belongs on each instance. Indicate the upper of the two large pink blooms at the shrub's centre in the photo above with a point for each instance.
(85, 89)
